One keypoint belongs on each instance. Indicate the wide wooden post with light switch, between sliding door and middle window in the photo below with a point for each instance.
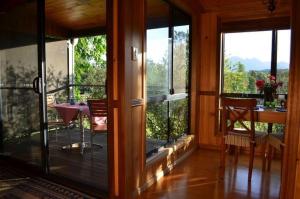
(129, 95)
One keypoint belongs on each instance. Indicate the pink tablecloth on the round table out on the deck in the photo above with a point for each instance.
(70, 112)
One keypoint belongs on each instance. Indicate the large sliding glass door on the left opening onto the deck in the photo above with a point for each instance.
(46, 84)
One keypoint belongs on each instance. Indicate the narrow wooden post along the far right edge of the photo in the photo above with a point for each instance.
(291, 167)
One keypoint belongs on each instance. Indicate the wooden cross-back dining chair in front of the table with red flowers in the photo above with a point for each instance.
(237, 133)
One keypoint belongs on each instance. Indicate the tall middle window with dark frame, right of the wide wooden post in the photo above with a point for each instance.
(167, 75)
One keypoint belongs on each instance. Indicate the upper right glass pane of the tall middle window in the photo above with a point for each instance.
(181, 58)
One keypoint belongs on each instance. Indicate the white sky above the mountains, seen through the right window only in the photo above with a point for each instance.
(257, 45)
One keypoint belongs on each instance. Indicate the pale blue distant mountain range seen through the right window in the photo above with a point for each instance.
(256, 64)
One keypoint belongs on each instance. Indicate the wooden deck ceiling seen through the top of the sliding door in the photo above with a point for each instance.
(76, 15)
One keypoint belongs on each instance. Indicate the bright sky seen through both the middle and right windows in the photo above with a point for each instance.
(244, 45)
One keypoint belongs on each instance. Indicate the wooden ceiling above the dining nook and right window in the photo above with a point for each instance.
(233, 10)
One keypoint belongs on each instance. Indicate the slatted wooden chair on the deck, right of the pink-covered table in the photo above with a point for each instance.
(98, 116)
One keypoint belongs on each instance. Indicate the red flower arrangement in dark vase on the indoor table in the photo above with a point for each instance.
(268, 88)
